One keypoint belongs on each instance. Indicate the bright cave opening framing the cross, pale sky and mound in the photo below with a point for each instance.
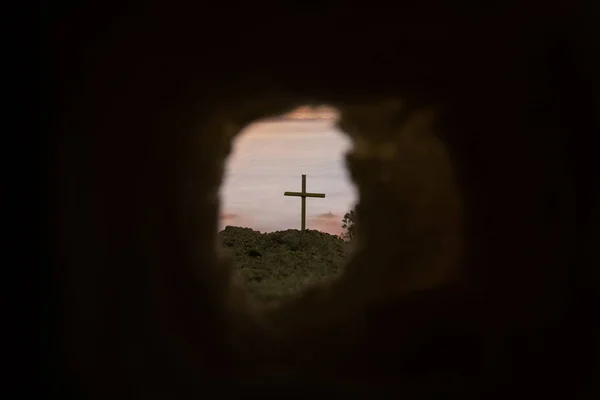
(284, 196)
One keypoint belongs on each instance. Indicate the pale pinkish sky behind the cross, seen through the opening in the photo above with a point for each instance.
(269, 158)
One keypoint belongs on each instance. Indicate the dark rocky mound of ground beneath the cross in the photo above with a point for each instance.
(278, 264)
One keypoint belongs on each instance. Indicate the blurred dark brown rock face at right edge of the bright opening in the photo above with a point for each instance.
(409, 199)
